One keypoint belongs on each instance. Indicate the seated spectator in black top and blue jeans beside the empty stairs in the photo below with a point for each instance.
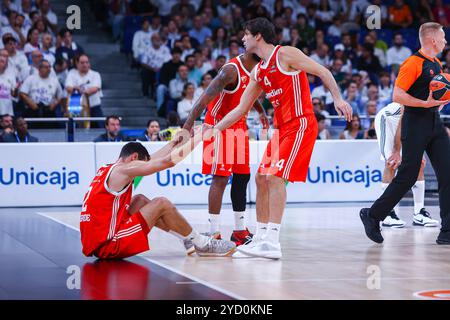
(168, 72)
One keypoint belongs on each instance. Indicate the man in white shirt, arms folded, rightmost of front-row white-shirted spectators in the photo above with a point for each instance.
(88, 83)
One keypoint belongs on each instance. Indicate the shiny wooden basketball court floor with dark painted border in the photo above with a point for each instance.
(326, 255)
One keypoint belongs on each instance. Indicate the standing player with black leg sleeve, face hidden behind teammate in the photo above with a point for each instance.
(228, 152)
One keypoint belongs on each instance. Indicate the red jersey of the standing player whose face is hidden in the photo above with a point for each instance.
(228, 100)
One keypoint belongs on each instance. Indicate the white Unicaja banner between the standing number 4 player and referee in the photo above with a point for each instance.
(339, 171)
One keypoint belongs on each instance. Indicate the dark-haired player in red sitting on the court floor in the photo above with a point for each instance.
(113, 224)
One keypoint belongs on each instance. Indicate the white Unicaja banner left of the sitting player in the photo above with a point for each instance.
(45, 174)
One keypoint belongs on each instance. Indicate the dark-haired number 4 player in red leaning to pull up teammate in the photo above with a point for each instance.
(281, 74)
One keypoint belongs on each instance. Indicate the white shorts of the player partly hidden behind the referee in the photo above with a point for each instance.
(386, 124)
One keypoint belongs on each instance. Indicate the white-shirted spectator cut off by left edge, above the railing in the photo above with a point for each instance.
(8, 87)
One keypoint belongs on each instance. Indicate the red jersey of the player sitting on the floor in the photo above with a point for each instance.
(102, 212)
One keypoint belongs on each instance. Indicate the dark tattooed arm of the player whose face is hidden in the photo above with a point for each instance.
(227, 75)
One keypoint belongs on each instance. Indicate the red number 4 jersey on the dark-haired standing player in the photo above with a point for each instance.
(288, 92)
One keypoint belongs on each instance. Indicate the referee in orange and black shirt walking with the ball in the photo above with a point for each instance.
(421, 130)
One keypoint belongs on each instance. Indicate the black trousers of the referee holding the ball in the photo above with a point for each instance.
(422, 130)
